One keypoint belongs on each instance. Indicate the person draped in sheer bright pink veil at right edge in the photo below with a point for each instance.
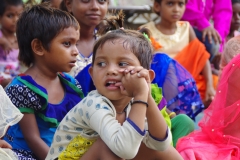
(219, 137)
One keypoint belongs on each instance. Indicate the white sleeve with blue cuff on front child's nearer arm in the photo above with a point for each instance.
(123, 140)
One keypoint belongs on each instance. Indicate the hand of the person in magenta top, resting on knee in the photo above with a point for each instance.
(211, 33)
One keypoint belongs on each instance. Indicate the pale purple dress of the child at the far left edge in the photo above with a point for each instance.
(10, 60)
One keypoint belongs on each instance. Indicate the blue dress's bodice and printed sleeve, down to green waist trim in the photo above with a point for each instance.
(30, 97)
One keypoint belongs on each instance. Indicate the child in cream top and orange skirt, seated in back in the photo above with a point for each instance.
(177, 39)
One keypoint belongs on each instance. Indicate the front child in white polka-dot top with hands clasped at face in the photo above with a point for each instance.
(117, 110)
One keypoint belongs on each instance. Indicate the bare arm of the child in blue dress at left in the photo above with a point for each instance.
(31, 134)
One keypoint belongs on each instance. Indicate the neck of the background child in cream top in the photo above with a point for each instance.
(167, 28)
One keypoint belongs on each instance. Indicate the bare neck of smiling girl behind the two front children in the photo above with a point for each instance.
(87, 40)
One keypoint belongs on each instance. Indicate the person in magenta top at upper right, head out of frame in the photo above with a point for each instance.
(199, 13)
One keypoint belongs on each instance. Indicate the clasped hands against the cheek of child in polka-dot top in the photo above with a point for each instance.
(132, 85)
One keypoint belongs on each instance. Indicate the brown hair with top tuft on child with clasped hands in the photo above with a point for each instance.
(132, 40)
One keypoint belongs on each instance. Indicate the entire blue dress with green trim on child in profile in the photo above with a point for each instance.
(30, 97)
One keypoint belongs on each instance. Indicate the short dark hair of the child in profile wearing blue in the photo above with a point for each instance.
(43, 23)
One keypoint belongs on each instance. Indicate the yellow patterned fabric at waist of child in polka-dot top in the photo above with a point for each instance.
(76, 148)
